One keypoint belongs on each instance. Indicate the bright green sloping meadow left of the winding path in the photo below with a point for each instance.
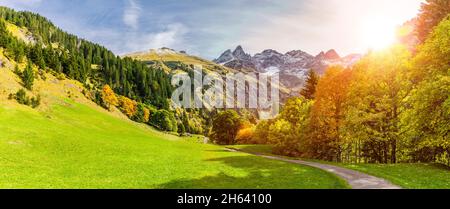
(74, 146)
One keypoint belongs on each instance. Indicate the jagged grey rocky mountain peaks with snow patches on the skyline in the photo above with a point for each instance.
(292, 66)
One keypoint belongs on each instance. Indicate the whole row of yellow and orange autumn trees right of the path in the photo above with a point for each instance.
(392, 106)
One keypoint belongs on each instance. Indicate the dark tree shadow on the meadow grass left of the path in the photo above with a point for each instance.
(250, 172)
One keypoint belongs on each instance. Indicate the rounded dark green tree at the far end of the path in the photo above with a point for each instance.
(226, 125)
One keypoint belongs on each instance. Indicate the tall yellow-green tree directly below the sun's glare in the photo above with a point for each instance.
(375, 102)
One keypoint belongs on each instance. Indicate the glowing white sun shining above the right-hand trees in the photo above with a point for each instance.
(378, 33)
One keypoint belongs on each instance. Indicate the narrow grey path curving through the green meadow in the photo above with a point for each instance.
(355, 179)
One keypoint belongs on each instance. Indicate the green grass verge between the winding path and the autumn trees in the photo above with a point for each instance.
(409, 176)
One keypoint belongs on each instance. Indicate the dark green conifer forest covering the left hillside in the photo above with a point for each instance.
(91, 64)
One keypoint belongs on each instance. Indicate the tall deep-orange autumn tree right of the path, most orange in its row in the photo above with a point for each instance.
(328, 113)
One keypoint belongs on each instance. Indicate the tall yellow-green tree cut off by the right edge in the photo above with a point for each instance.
(426, 123)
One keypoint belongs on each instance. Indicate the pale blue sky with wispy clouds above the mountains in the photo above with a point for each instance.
(208, 27)
